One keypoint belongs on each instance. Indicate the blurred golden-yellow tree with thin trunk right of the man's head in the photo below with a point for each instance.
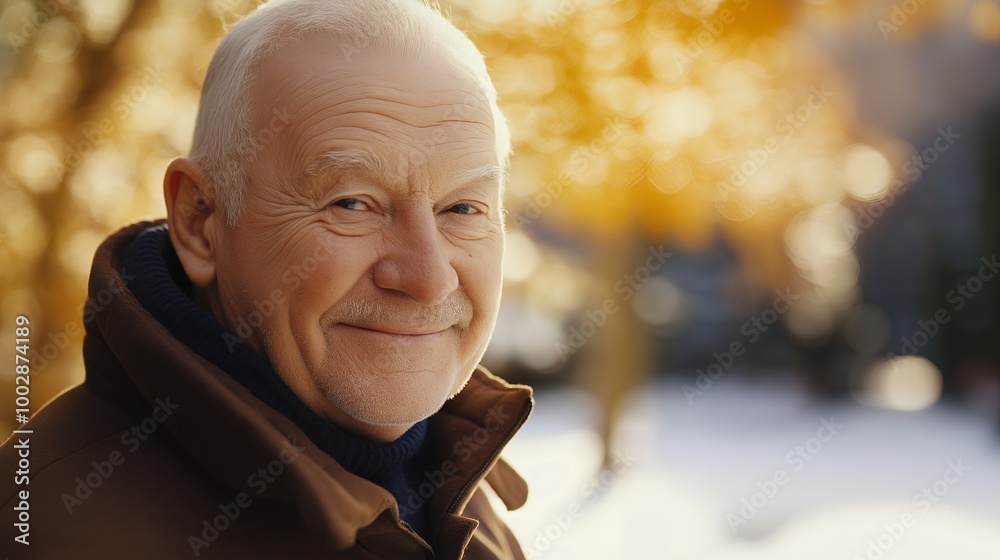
(676, 122)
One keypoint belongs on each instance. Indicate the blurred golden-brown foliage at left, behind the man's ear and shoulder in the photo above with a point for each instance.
(97, 97)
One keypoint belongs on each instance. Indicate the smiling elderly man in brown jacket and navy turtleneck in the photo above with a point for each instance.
(288, 367)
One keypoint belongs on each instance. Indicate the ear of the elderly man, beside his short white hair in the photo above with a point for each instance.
(193, 219)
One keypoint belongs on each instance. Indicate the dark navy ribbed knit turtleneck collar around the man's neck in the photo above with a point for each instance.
(160, 285)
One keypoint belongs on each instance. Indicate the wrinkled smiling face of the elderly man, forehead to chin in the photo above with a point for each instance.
(372, 225)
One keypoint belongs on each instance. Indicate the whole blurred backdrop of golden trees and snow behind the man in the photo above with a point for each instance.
(751, 253)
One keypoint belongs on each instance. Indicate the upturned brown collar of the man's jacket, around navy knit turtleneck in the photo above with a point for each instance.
(232, 434)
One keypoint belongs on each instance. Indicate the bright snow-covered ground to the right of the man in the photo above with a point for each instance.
(758, 471)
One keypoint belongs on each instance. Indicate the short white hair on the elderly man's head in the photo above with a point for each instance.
(224, 142)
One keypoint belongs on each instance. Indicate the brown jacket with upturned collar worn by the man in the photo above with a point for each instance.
(160, 454)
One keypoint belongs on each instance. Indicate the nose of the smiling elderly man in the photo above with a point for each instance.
(417, 262)
